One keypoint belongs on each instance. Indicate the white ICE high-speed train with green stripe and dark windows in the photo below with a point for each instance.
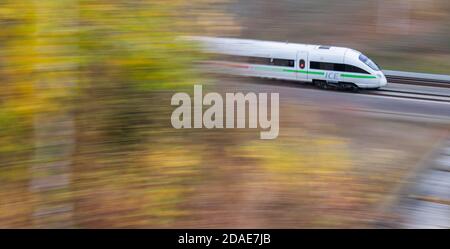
(324, 66)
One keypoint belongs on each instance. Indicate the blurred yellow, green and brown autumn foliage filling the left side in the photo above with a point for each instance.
(78, 106)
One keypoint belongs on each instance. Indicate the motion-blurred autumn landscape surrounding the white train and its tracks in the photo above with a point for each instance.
(85, 134)
